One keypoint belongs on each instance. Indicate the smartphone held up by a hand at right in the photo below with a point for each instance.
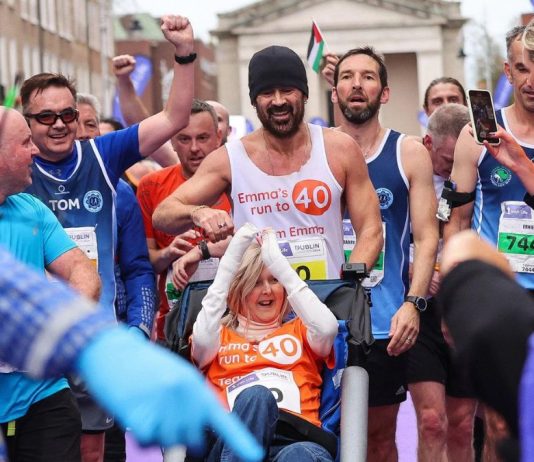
(482, 116)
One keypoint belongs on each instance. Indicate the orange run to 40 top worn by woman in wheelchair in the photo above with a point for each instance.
(283, 362)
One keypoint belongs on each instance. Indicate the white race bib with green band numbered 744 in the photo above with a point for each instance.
(516, 236)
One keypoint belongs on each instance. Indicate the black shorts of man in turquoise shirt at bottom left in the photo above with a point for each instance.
(49, 432)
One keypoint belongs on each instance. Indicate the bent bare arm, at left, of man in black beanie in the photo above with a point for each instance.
(174, 215)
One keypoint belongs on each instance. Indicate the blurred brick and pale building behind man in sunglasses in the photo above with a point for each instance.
(69, 36)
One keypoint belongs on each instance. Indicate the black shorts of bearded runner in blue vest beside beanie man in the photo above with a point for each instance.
(387, 375)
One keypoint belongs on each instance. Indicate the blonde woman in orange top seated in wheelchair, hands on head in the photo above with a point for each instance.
(266, 370)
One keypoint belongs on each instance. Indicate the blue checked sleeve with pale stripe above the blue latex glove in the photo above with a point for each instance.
(31, 338)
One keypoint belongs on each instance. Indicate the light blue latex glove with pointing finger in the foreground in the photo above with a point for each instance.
(159, 396)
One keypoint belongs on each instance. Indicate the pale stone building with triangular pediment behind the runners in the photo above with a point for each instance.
(420, 40)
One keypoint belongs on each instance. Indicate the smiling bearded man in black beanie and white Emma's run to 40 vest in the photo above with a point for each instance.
(294, 177)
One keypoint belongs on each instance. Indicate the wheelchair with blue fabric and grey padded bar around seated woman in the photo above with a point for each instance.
(344, 398)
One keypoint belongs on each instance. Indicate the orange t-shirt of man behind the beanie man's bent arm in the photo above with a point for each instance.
(151, 191)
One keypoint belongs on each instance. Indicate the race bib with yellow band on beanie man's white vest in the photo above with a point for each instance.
(306, 256)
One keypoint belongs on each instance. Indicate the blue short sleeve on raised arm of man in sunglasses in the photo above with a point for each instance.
(119, 150)
